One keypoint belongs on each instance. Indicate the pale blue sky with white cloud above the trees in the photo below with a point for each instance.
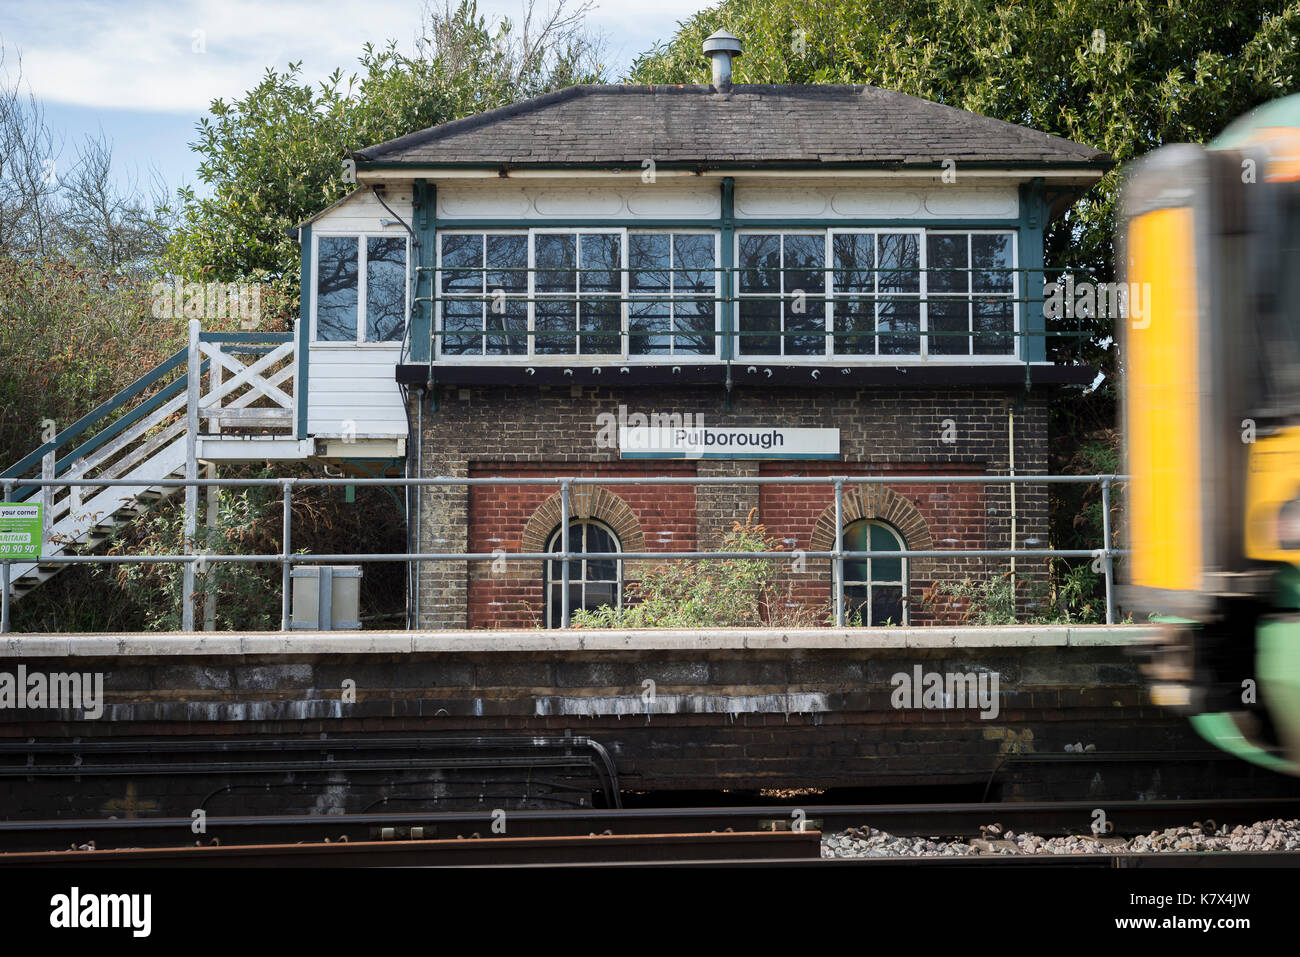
(142, 72)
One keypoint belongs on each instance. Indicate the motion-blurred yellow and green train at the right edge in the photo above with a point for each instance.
(1211, 236)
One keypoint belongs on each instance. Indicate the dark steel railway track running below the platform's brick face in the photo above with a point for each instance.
(462, 829)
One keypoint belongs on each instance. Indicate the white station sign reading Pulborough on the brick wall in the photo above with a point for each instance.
(709, 443)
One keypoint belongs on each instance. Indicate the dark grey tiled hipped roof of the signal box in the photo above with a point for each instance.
(748, 125)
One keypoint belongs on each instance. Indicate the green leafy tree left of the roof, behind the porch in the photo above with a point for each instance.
(276, 157)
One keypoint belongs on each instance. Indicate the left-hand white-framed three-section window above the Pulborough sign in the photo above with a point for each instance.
(597, 292)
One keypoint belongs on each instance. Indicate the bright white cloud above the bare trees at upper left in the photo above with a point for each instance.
(140, 55)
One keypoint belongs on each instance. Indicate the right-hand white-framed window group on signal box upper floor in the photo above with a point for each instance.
(859, 293)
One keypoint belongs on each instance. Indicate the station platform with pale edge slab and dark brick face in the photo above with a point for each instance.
(456, 720)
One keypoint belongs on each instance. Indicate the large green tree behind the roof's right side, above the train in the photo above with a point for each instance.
(1123, 76)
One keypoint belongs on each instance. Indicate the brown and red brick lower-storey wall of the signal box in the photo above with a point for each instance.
(512, 432)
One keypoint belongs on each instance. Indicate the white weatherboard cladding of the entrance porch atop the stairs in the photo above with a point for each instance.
(352, 389)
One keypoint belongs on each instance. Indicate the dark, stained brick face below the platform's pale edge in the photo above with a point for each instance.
(740, 718)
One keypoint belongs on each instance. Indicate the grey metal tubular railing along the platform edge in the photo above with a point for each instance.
(287, 558)
